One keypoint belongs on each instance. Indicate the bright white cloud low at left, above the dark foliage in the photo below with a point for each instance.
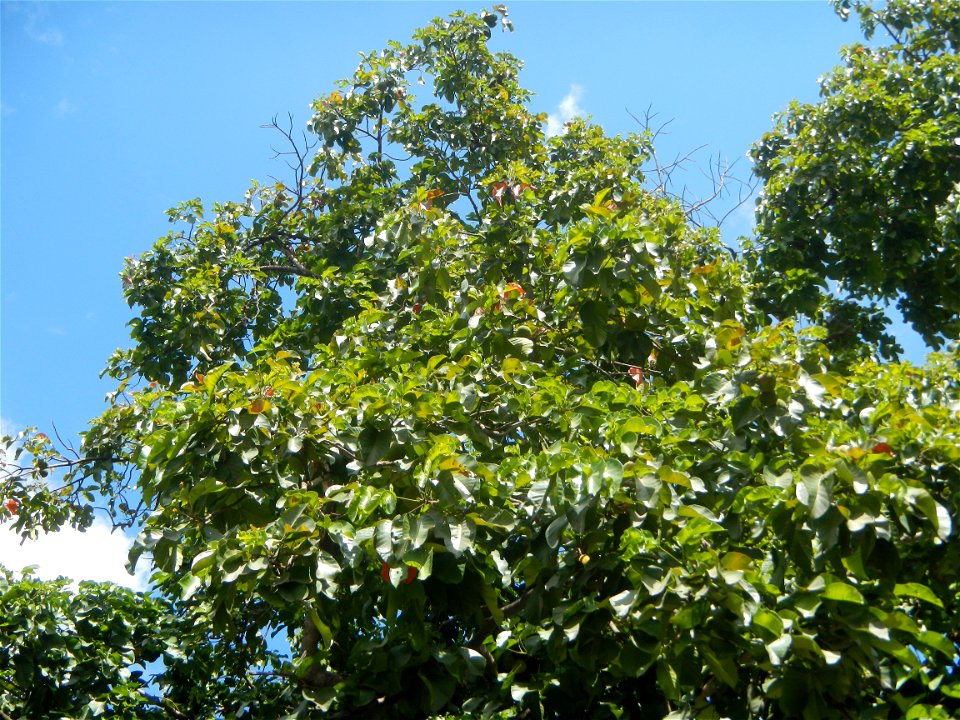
(96, 554)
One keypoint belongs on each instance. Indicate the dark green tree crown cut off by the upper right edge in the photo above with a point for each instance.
(863, 188)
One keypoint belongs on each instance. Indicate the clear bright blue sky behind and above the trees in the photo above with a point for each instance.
(114, 112)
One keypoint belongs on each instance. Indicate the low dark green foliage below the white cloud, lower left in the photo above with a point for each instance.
(98, 649)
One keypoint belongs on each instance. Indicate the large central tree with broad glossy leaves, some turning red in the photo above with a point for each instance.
(484, 426)
